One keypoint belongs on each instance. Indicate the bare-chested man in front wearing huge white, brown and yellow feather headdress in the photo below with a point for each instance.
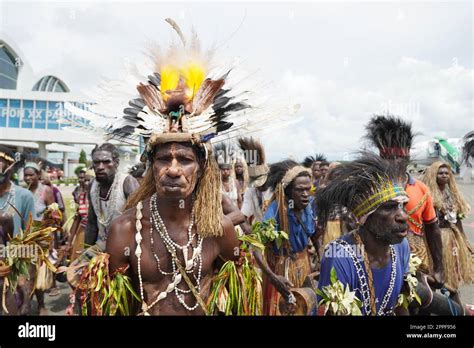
(174, 228)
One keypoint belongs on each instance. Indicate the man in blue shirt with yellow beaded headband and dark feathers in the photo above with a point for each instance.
(373, 259)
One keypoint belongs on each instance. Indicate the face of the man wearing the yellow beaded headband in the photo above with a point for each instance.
(389, 223)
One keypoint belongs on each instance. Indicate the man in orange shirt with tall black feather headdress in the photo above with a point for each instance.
(393, 137)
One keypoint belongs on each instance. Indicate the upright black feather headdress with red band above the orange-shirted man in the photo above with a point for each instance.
(391, 135)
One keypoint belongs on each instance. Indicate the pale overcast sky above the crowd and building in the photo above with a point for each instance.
(342, 61)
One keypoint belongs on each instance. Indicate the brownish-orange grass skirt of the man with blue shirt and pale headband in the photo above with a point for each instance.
(297, 269)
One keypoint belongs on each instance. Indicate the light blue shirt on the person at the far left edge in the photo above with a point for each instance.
(24, 203)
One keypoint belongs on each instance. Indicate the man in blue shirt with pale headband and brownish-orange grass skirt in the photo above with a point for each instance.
(287, 266)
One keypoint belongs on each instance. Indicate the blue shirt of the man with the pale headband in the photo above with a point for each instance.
(298, 236)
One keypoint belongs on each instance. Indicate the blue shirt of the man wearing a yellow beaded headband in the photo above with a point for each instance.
(335, 256)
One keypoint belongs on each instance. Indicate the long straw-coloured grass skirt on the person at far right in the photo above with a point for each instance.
(457, 258)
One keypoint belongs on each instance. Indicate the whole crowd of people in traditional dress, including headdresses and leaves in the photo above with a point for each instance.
(206, 225)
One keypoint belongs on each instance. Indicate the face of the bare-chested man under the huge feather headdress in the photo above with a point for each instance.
(176, 170)
